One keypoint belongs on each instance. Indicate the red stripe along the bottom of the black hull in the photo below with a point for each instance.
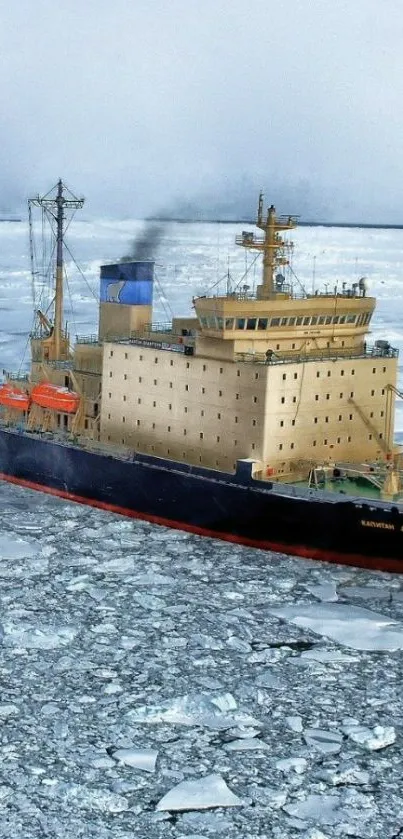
(371, 562)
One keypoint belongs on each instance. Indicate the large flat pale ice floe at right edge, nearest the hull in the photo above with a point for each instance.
(353, 626)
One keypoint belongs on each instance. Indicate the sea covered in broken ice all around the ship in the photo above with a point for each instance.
(155, 684)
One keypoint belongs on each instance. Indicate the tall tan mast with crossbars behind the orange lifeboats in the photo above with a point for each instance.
(53, 344)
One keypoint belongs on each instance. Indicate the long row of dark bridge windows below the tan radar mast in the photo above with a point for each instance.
(215, 322)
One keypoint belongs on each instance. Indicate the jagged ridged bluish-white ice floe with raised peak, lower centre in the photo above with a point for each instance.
(218, 712)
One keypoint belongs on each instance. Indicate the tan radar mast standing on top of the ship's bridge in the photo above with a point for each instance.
(276, 251)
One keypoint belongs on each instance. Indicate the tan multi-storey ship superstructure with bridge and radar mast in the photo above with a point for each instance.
(285, 379)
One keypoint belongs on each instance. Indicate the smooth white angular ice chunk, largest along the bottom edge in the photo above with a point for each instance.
(201, 794)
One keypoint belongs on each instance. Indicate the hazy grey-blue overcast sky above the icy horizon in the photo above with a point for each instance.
(148, 105)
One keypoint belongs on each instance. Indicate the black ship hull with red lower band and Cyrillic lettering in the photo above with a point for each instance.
(237, 508)
